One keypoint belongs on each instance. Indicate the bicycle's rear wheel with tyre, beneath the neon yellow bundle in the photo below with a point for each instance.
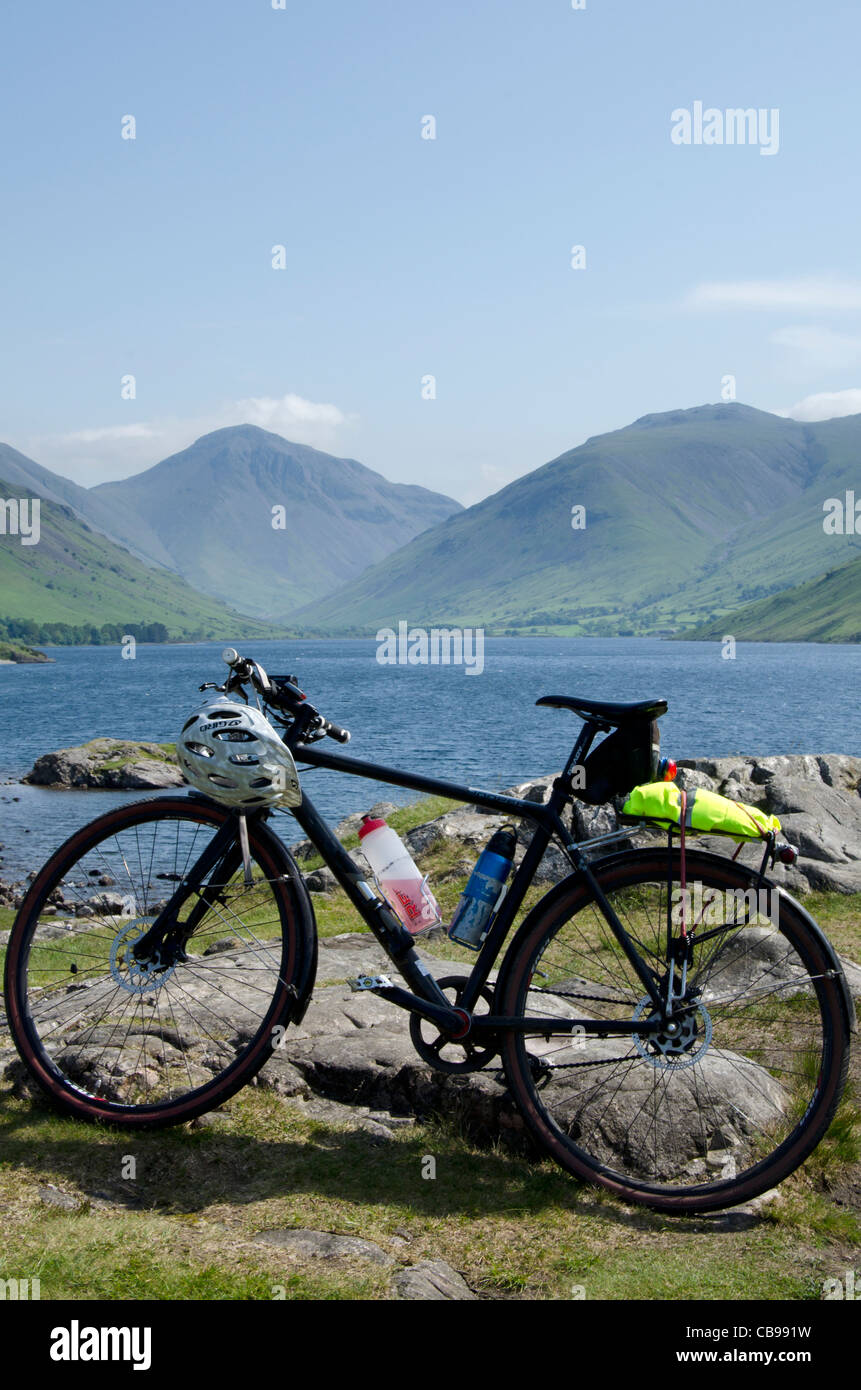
(730, 1100)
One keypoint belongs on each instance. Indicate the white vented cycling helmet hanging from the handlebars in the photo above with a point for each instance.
(233, 754)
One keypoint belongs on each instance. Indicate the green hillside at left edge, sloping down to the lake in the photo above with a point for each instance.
(77, 576)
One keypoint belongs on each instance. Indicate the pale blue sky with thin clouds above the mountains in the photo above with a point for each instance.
(407, 256)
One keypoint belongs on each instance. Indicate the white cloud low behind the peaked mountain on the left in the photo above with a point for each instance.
(108, 452)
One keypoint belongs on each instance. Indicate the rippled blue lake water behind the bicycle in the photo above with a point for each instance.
(482, 730)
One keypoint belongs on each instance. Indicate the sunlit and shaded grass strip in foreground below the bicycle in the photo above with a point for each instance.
(186, 1227)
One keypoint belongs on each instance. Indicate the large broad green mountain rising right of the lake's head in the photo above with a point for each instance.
(688, 514)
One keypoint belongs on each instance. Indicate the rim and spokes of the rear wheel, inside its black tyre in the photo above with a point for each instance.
(649, 1118)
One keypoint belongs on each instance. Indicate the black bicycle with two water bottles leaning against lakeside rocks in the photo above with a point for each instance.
(682, 1070)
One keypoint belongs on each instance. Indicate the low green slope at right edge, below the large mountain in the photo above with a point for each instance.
(827, 610)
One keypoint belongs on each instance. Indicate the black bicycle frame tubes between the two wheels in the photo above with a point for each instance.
(428, 999)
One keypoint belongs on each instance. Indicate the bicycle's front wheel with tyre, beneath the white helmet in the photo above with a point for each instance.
(112, 1040)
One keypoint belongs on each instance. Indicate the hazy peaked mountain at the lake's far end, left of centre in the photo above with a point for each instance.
(208, 515)
